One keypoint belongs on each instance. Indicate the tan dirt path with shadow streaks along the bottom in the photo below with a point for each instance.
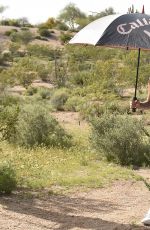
(121, 206)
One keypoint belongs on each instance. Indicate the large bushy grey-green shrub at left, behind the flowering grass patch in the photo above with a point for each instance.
(35, 126)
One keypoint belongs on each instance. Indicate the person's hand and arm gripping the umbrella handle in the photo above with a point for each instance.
(136, 104)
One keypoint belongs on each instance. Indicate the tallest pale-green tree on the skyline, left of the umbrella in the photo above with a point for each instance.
(70, 14)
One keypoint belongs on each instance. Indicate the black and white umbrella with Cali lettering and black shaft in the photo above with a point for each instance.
(130, 31)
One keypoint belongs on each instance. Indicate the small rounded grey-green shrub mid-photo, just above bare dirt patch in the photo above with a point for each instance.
(59, 98)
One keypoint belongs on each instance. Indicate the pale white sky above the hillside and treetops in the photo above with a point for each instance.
(38, 11)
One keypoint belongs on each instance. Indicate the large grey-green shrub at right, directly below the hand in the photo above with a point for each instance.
(122, 139)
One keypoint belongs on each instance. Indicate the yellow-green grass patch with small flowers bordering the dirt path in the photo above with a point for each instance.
(44, 168)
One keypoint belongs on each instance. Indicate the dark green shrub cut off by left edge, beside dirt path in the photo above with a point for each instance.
(7, 179)
